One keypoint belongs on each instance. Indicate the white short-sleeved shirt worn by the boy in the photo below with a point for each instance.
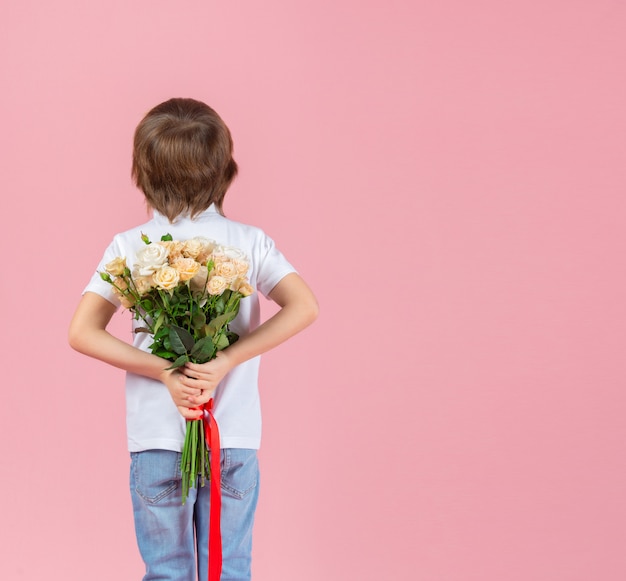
(152, 419)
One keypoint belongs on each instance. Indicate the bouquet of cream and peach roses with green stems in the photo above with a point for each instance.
(185, 293)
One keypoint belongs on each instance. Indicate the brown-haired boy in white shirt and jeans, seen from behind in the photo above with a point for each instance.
(183, 164)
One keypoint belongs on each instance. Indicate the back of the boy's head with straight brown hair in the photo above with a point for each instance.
(183, 158)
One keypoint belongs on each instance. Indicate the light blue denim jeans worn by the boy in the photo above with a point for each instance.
(172, 537)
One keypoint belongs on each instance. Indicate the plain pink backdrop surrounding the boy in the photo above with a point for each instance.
(449, 177)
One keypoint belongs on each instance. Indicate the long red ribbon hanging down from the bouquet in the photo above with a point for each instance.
(212, 436)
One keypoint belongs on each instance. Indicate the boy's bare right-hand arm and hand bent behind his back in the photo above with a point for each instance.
(298, 309)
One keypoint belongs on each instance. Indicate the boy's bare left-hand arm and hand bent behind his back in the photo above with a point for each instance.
(88, 335)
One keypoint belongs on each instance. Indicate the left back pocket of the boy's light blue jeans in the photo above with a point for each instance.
(156, 474)
